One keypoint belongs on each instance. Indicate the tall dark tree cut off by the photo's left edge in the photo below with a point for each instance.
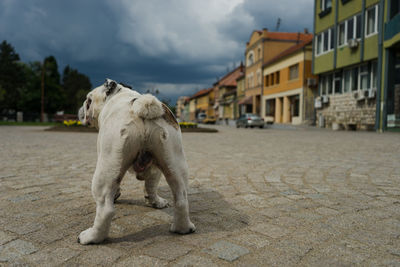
(11, 76)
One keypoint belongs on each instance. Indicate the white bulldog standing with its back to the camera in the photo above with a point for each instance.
(139, 133)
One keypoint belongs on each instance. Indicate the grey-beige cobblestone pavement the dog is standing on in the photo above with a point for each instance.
(258, 198)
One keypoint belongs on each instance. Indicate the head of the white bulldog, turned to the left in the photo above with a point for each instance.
(94, 103)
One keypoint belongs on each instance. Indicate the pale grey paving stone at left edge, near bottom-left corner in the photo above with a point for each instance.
(16, 249)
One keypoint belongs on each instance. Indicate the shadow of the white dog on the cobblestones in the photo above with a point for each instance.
(209, 211)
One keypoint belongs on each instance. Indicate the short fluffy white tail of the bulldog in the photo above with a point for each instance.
(147, 107)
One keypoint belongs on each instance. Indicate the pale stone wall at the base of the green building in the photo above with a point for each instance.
(348, 113)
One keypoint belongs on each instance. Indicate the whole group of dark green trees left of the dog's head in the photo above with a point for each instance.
(21, 84)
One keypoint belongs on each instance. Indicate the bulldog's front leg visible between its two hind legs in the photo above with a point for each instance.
(151, 177)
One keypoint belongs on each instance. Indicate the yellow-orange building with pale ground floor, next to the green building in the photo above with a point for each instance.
(289, 86)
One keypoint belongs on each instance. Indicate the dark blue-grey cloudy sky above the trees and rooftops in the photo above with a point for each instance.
(176, 46)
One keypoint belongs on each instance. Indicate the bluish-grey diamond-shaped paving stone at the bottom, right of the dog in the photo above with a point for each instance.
(227, 251)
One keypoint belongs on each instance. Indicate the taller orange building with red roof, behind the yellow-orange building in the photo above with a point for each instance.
(262, 47)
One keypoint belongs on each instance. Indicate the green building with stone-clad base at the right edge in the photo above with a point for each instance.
(356, 57)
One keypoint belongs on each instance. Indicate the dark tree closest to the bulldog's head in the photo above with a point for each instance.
(75, 86)
